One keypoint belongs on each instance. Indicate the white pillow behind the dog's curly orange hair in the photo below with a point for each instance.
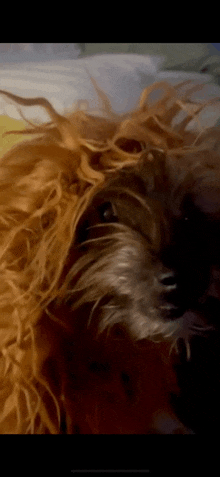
(63, 82)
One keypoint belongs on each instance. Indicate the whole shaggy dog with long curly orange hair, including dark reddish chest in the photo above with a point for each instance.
(109, 257)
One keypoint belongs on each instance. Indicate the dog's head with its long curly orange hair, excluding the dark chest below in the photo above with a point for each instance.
(103, 222)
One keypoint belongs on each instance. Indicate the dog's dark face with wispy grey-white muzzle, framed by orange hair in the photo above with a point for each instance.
(144, 248)
